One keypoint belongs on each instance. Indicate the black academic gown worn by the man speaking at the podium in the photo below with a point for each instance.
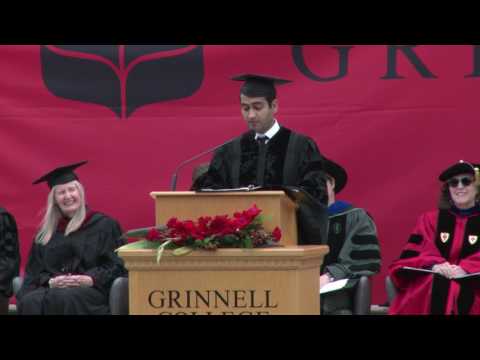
(291, 160)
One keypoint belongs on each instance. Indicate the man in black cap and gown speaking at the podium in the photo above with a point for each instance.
(271, 155)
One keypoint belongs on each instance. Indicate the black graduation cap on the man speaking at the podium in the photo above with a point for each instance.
(259, 85)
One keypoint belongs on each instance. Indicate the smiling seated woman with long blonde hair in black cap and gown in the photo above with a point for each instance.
(72, 263)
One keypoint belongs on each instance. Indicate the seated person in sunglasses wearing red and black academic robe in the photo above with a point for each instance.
(445, 241)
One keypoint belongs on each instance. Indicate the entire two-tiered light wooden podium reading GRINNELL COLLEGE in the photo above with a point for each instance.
(271, 281)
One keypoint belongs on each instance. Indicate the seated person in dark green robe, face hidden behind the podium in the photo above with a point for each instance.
(354, 249)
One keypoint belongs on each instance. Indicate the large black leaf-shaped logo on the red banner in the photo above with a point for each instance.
(122, 77)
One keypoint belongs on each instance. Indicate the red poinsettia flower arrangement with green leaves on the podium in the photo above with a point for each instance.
(244, 230)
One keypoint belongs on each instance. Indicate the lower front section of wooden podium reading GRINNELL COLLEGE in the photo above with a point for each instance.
(277, 281)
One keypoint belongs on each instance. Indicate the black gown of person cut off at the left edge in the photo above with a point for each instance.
(9, 253)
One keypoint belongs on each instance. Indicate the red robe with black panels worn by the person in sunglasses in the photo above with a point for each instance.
(439, 236)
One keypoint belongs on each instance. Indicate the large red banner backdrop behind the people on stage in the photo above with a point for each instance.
(394, 116)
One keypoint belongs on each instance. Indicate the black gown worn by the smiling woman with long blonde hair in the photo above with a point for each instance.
(87, 251)
